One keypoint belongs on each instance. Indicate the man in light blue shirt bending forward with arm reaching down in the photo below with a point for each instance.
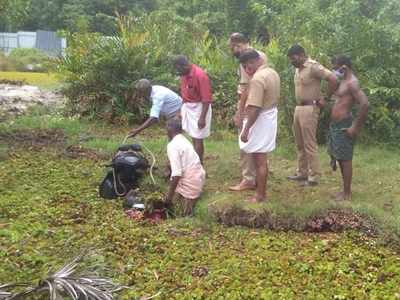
(165, 103)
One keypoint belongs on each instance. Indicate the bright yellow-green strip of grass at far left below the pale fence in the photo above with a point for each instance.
(42, 80)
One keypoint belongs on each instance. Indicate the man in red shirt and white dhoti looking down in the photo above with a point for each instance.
(197, 98)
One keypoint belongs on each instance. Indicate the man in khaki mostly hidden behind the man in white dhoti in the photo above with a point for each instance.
(238, 44)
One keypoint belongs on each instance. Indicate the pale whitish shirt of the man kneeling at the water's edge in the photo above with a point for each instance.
(181, 155)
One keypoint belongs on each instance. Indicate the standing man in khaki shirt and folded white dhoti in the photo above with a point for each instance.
(258, 136)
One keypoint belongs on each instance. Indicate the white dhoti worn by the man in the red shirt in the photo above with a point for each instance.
(190, 113)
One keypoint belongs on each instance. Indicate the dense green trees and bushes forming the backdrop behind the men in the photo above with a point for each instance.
(366, 30)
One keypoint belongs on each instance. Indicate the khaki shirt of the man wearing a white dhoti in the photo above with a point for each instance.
(264, 88)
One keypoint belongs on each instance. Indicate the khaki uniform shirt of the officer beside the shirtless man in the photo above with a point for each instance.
(307, 81)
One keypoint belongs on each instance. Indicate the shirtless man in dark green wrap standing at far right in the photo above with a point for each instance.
(343, 129)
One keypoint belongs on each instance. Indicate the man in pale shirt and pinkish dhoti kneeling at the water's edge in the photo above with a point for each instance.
(187, 173)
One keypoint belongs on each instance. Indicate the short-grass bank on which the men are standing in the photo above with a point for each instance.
(291, 207)
